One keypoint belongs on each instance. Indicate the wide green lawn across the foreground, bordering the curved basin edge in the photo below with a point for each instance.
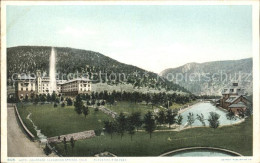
(237, 138)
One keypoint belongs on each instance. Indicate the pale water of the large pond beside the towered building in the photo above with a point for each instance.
(205, 109)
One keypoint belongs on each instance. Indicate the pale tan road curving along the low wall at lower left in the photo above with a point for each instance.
(18, 145)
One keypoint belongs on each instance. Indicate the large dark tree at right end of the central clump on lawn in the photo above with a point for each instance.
(149, 123)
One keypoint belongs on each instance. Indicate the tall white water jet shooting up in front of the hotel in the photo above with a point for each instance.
(52, 71)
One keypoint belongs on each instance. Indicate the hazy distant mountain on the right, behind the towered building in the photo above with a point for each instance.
(211, 77)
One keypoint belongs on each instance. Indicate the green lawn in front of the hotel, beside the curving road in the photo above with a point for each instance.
(58, 121)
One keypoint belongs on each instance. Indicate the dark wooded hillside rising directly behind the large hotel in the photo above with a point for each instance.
(28, 59)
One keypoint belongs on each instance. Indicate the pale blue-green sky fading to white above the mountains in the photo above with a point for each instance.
(152, 37)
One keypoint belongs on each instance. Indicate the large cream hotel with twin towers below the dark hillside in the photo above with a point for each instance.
(41, 85)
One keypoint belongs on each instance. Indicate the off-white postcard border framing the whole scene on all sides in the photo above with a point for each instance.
(256, 80)
